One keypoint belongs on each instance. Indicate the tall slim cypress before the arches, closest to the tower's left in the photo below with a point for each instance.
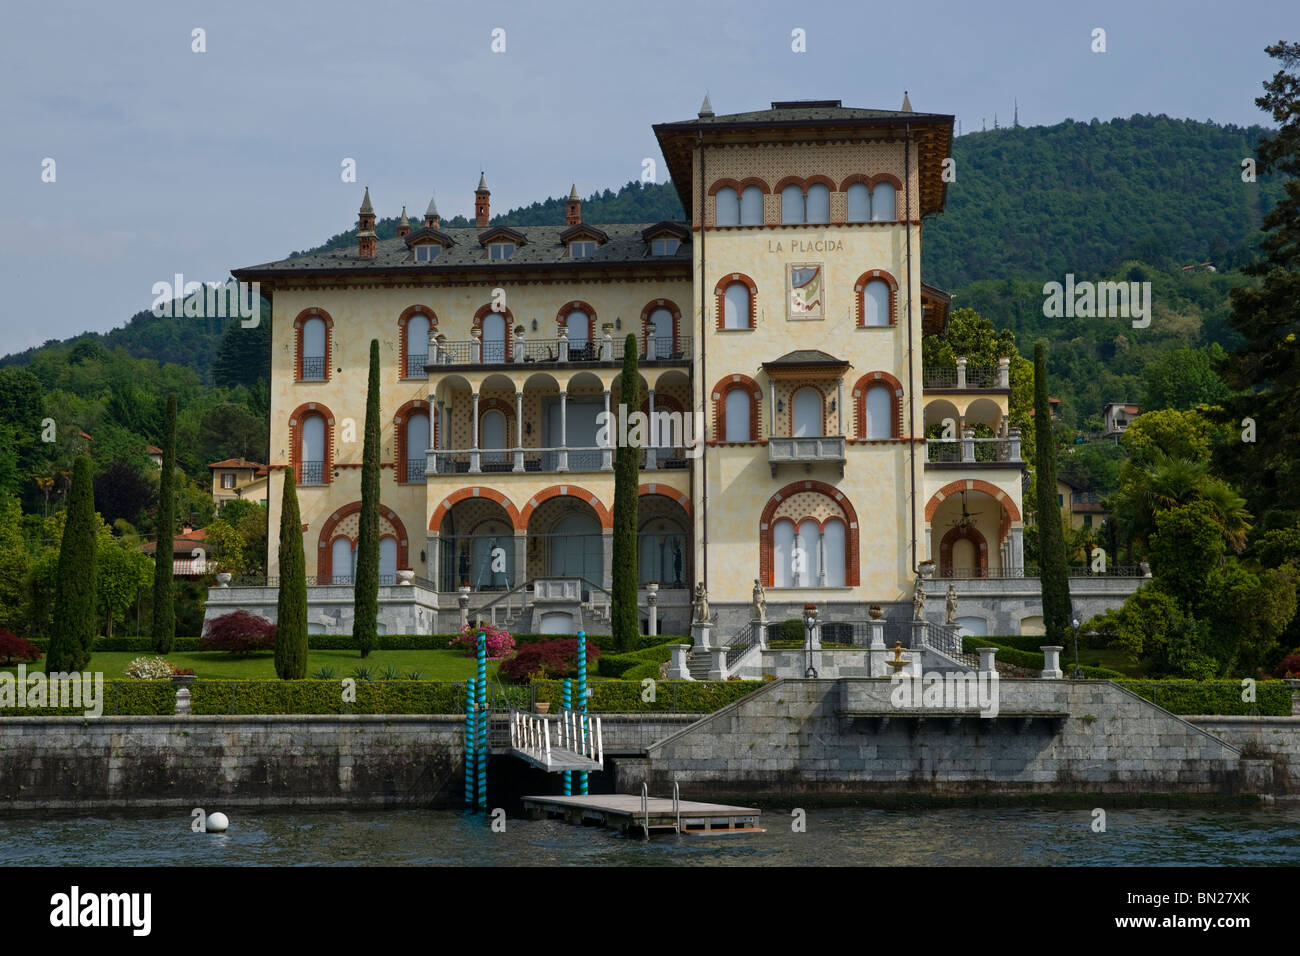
(627, 465)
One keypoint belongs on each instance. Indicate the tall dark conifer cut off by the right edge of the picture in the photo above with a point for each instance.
(1268, 365)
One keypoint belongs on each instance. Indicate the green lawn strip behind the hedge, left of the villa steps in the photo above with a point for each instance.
(434, 665)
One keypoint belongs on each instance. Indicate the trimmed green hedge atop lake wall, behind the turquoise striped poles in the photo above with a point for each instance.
(447, 698)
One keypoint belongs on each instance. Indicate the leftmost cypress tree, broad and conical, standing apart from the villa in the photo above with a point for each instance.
(73, 635)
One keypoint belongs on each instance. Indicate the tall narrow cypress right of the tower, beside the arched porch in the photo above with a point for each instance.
(1054, 576)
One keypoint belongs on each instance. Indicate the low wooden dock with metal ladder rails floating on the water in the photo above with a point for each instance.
(648, 816)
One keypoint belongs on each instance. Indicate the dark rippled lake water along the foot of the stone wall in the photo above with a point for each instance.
(834, 838)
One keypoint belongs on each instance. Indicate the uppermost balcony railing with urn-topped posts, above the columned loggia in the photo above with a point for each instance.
(561, 351)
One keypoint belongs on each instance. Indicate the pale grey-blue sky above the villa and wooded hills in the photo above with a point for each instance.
(168, 161)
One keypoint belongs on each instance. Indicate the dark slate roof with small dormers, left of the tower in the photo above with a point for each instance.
(544, 248)
